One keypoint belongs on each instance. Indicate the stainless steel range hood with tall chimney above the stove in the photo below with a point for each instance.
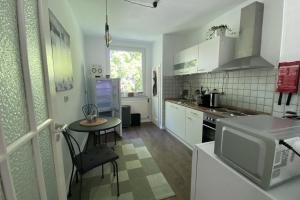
(248, 45)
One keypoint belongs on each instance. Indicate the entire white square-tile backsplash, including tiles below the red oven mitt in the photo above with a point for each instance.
(249, 89)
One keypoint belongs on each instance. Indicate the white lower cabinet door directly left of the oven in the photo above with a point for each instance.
(194, 122)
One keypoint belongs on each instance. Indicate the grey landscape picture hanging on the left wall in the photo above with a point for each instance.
(61, 55)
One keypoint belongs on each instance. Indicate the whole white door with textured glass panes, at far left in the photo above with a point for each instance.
(28, 158)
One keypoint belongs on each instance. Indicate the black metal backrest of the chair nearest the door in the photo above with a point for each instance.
(70, 142)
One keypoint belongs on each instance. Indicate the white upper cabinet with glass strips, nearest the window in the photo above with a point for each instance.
(186, 61)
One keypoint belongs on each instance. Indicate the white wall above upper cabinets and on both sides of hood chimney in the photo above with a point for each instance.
(272, 28)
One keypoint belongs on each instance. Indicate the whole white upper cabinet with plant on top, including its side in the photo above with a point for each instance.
(214, 53)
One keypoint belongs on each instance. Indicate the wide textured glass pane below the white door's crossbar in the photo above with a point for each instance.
(24, 173)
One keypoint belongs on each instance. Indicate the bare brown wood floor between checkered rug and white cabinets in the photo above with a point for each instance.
(172, 157)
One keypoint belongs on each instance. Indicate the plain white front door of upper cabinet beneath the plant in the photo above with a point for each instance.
(209, 55)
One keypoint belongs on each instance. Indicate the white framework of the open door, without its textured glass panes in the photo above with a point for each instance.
(35, 129)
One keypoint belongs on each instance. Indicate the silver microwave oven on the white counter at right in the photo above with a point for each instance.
(251, 145)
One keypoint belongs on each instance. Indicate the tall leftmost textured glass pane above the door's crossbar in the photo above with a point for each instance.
(12, 100)
